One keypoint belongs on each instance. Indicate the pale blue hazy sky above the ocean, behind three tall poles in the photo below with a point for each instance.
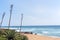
(35, 12)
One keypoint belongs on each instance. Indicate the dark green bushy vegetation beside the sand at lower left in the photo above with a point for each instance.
(11, 35)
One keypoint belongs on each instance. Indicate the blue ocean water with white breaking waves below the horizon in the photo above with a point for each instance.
(40, 30)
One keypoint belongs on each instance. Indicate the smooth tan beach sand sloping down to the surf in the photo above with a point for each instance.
(38, 37)
